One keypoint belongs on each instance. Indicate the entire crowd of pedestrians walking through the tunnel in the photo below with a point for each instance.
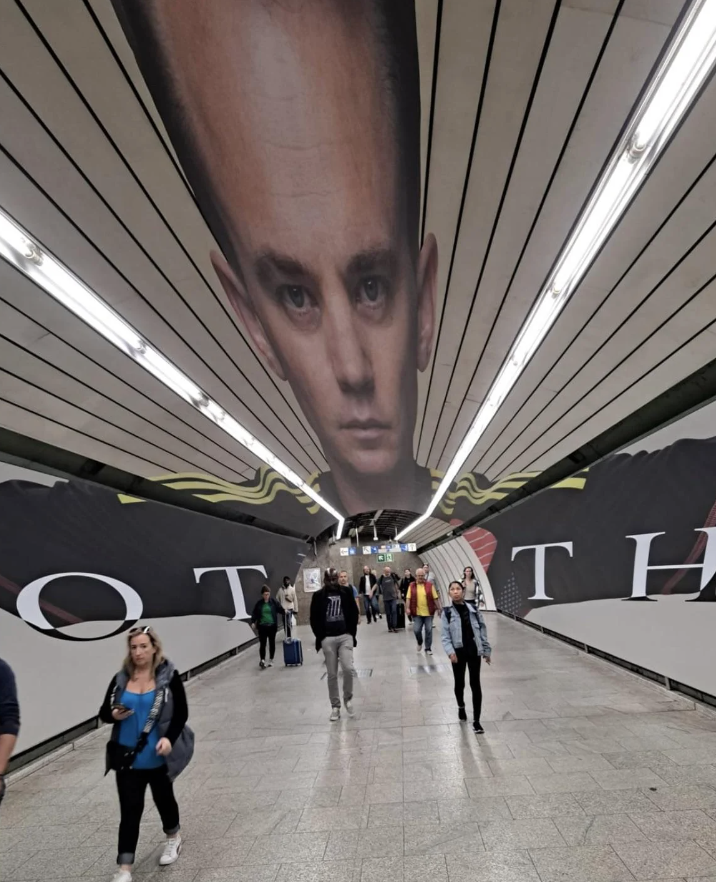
(145, 703)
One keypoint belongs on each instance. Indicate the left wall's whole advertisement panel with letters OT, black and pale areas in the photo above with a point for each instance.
(79, 565)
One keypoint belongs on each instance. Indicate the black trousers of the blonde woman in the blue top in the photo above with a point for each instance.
(132, 785)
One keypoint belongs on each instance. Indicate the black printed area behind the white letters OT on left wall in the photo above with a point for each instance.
(74, 552)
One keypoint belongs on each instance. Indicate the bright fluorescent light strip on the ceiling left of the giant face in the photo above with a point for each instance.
(19, 249)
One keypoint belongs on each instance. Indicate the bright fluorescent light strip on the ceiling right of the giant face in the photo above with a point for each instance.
(682, 73)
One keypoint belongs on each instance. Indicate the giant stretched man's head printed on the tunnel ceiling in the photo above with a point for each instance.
(298, 125)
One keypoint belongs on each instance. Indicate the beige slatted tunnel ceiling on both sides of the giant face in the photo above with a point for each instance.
(521, 106)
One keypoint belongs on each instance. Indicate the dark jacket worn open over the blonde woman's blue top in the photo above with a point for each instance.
(172, 718)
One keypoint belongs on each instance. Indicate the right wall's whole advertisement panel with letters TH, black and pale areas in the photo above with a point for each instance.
(622, 556)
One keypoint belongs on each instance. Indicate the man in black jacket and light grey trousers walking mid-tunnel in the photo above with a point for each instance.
(334, 622)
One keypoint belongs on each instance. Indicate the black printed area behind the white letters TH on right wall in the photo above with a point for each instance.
(631, 527)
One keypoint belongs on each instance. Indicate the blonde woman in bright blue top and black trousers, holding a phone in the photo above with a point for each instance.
(150, 743)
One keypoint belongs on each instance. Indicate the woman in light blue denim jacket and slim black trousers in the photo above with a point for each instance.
(464, 639)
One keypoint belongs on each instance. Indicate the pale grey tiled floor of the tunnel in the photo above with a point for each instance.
(586, 774)
